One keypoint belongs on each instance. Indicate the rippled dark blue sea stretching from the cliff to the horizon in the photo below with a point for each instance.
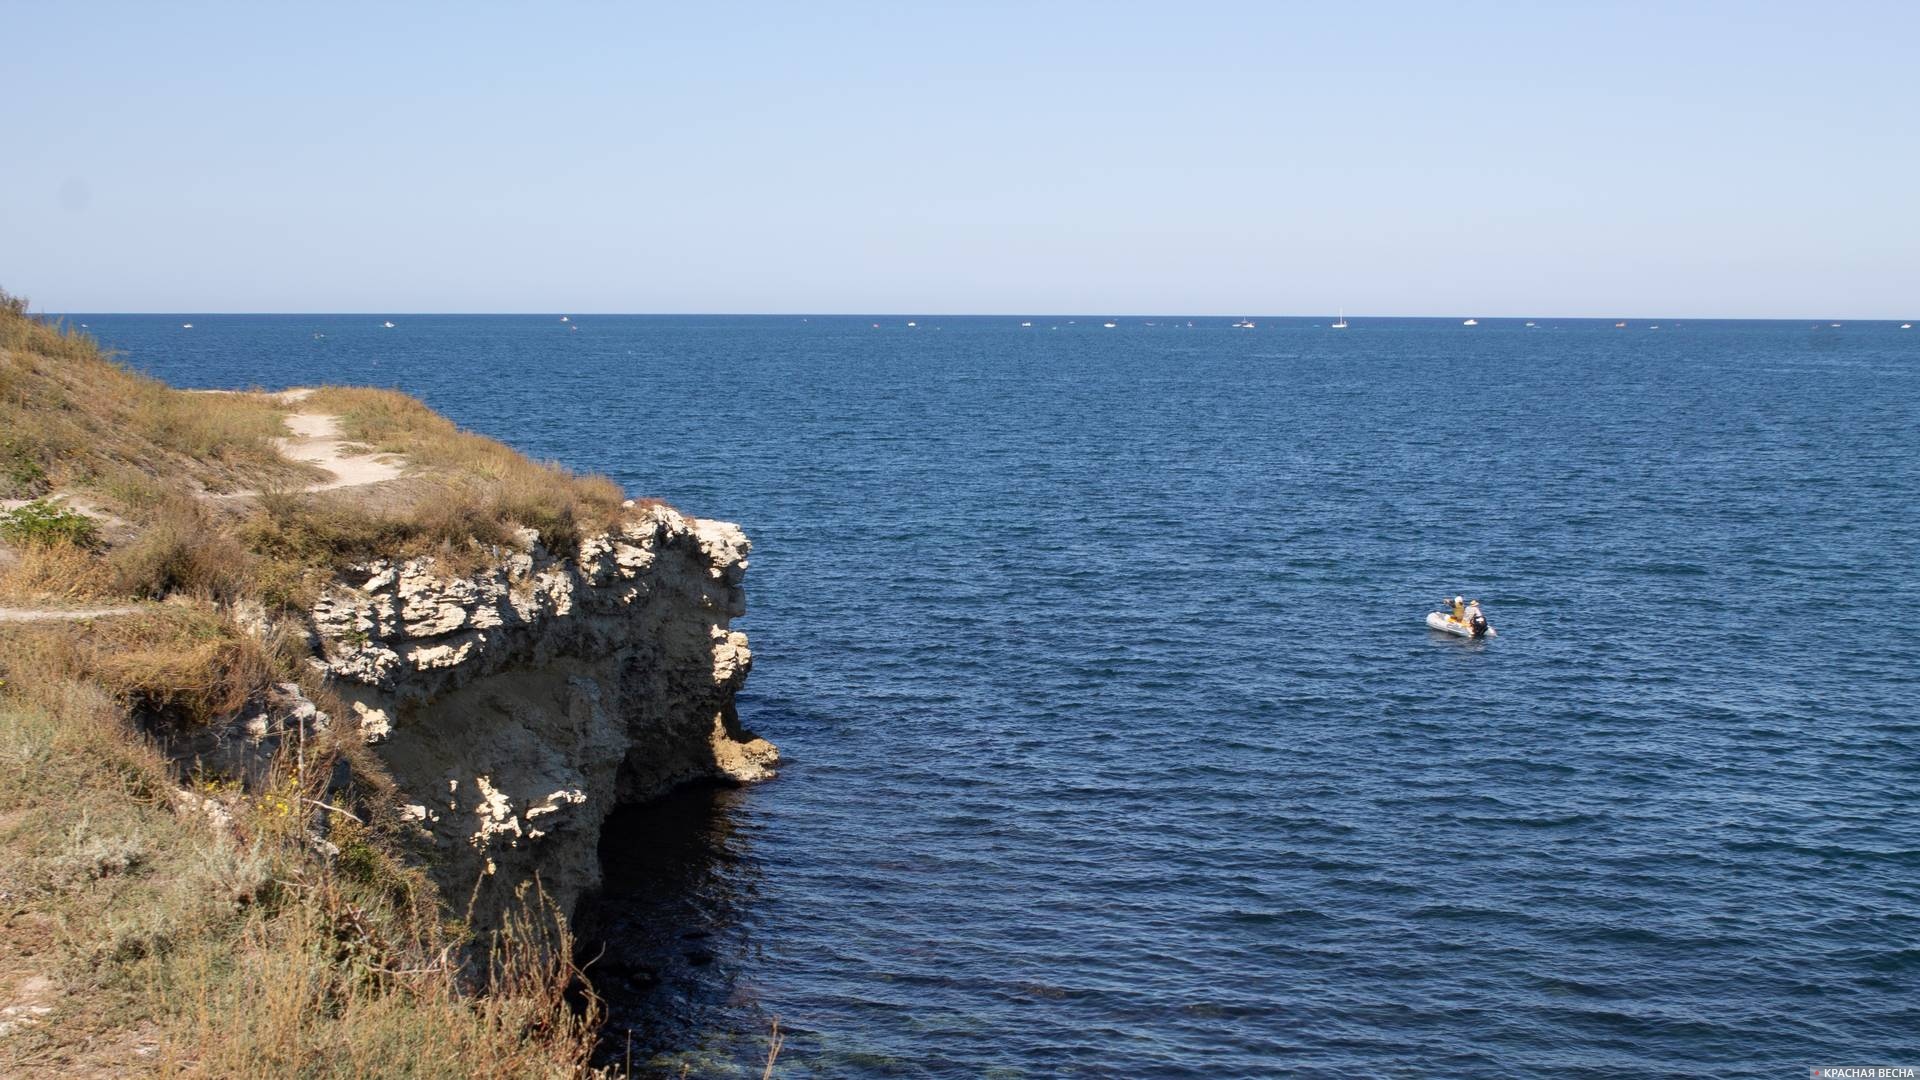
(1116, 743)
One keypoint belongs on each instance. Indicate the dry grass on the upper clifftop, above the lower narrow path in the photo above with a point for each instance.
(74, 420)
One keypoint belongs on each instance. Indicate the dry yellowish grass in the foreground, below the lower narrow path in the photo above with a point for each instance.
(180, 948)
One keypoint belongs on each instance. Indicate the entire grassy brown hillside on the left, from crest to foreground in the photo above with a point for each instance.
(176, 923)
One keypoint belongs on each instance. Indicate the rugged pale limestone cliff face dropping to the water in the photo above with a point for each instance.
(521, 704)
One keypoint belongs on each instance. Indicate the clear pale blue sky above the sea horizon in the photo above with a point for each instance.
(1652, 160)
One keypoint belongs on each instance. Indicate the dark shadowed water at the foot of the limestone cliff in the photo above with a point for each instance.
(665, 933)
